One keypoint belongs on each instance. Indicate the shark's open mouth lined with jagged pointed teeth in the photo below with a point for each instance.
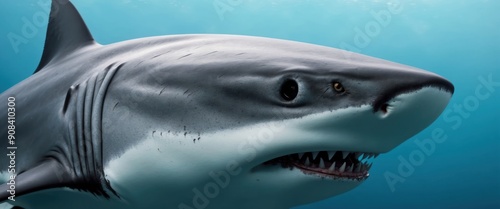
(340, 165)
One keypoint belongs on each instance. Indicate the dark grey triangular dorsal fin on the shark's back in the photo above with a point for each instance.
(66, 32)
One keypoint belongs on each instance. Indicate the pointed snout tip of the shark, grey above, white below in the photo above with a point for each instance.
(410, 102)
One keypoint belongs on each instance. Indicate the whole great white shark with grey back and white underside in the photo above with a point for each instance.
(204, 121)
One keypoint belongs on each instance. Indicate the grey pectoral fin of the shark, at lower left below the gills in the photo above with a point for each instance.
(49, 174)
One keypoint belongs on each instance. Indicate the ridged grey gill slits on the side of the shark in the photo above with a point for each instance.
(84, 113)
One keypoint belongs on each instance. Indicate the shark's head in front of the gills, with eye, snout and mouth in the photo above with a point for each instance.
(268, 122)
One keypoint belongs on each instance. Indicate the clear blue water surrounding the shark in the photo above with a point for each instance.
(457, 39)
